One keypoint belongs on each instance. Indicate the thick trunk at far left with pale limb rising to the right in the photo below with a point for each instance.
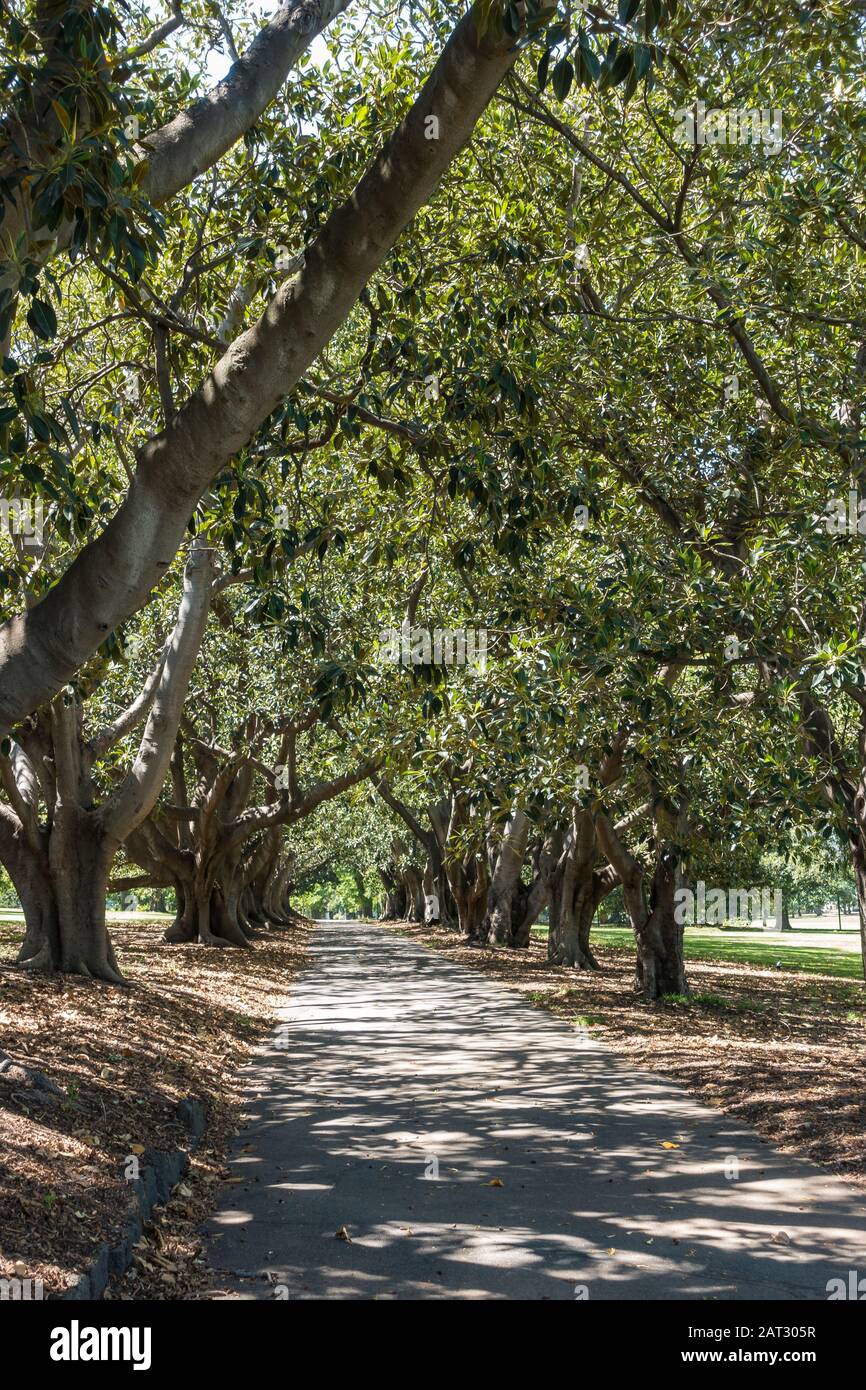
(62, 867)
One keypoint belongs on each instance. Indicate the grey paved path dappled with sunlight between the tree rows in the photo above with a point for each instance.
(402, 1089)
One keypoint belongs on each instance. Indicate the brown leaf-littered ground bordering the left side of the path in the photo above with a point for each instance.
(123, 1060)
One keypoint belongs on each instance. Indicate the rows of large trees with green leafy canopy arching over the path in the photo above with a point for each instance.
(432, 448)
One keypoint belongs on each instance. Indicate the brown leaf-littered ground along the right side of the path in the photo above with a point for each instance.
(782, 1053)
